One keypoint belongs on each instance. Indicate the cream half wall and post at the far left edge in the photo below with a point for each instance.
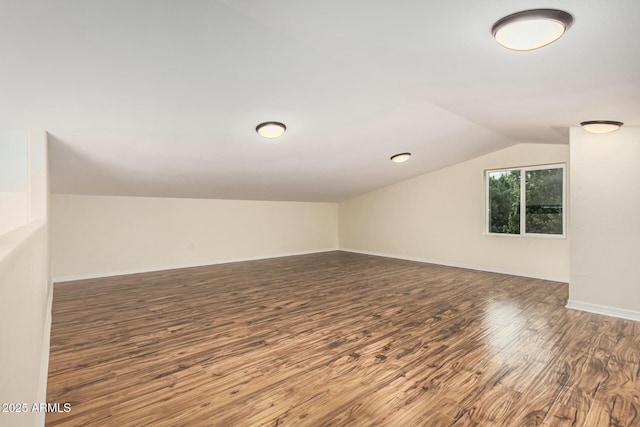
(25, 294)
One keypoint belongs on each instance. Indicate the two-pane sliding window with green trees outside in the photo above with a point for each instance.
(526, 201)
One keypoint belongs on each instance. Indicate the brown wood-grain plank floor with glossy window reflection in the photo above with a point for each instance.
(336, 339)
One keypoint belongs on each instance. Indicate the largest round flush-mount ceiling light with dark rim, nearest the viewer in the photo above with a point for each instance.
(531, 29)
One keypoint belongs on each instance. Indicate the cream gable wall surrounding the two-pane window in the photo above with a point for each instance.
(439, 217)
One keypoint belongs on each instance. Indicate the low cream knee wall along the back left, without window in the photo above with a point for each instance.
(96, 236)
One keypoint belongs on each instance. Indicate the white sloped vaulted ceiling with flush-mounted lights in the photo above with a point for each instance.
(161, 97)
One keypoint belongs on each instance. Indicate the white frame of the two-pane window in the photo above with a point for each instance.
(523, 200)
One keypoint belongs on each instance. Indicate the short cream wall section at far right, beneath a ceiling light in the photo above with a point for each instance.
(605, 222)
